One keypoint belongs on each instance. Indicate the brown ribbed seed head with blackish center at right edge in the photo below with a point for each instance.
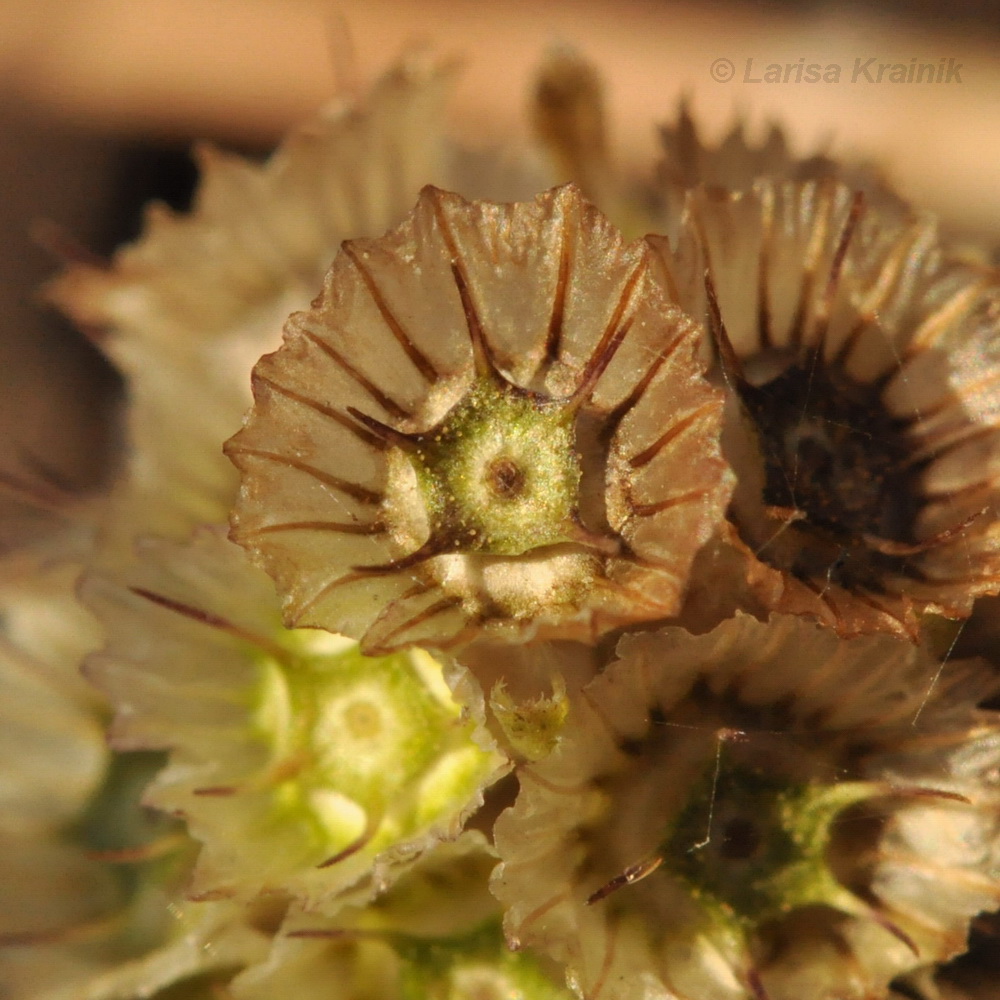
(864, 434)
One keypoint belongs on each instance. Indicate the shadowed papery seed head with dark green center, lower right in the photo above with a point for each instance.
(753, 813)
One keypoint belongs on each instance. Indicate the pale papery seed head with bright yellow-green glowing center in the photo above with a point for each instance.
(302, 766)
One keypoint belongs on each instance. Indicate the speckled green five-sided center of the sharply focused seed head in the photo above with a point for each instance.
(500, 475)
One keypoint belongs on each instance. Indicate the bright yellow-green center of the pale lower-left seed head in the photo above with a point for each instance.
(358, 740)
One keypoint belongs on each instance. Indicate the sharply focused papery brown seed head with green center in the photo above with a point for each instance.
(490, 419)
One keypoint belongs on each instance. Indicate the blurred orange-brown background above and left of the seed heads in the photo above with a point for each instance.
(100, 100)
